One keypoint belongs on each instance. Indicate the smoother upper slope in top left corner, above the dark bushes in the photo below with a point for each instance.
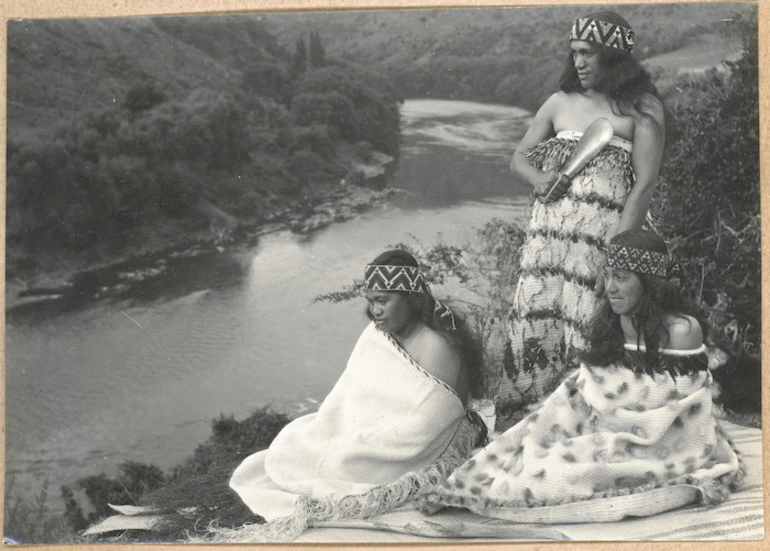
(59, 68)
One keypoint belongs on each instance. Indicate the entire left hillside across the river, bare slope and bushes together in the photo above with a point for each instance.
(133, 134)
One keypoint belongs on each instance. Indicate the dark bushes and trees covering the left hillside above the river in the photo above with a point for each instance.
(155, 166)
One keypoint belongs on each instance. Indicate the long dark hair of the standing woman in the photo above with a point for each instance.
(625, 80)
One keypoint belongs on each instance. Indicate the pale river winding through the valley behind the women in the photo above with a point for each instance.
(91, 389)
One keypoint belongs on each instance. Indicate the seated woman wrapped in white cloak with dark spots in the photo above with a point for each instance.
(631, 432)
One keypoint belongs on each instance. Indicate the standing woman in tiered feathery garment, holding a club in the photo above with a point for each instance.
(556, 293)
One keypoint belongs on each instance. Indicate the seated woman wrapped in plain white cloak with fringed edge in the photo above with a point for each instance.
(395, 420)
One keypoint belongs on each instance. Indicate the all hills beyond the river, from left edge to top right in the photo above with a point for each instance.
(135, 132)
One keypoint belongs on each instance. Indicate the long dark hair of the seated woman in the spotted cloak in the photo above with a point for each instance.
(660, 298)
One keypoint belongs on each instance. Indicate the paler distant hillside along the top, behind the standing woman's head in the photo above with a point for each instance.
(506, 55)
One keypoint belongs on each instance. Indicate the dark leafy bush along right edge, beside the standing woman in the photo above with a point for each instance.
(708, 203)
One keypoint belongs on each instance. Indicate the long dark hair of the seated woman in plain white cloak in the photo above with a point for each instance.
(462, 340)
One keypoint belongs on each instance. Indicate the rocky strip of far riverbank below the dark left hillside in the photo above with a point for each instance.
(78, 282)
